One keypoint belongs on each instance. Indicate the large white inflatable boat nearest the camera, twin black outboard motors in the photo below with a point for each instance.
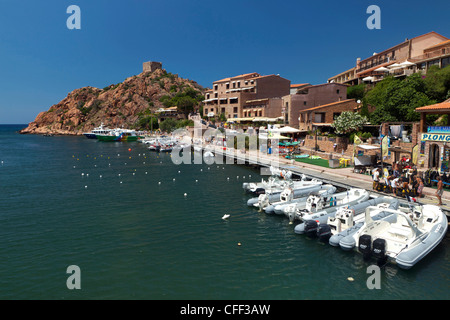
(403, 238)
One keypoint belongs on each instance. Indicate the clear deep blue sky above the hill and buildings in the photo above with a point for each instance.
(41, 60)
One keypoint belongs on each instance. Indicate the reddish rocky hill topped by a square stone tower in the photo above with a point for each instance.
(117, 105)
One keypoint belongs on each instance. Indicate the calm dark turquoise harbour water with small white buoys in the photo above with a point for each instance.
(134, 238)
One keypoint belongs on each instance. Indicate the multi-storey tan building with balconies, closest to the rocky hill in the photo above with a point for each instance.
(246, 95)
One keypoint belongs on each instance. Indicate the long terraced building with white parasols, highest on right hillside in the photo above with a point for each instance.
(408, 57)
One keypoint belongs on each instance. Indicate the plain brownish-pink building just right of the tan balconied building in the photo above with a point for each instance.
(308, 96)
